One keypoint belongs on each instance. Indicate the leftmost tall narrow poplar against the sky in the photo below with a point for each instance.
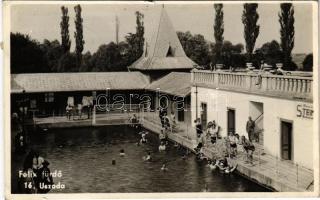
(64, 25)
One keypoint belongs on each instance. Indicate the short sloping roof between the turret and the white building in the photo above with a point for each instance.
(175, 83)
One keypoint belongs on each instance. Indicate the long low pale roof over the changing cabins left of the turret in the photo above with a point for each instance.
(59, 82)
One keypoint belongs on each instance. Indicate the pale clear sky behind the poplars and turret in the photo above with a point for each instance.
(42, 21)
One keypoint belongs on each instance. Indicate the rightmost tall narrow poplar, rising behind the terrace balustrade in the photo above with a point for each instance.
(286, 19)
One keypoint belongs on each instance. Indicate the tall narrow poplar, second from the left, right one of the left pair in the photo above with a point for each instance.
(78, 35)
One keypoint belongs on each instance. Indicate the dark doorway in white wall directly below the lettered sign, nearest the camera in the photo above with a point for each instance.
(286, 140)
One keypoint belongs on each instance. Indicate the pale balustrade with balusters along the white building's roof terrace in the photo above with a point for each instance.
(284, 86)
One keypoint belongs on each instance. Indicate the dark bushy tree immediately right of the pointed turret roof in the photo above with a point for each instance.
(195, 47)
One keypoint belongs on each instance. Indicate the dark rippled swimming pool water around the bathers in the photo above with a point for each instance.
(84, 157)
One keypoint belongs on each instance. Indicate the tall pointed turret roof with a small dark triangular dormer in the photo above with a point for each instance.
(165, 51)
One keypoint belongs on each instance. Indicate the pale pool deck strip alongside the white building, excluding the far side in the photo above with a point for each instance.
(268, 171)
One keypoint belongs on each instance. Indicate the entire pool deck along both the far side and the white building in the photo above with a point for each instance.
(267, 170)
